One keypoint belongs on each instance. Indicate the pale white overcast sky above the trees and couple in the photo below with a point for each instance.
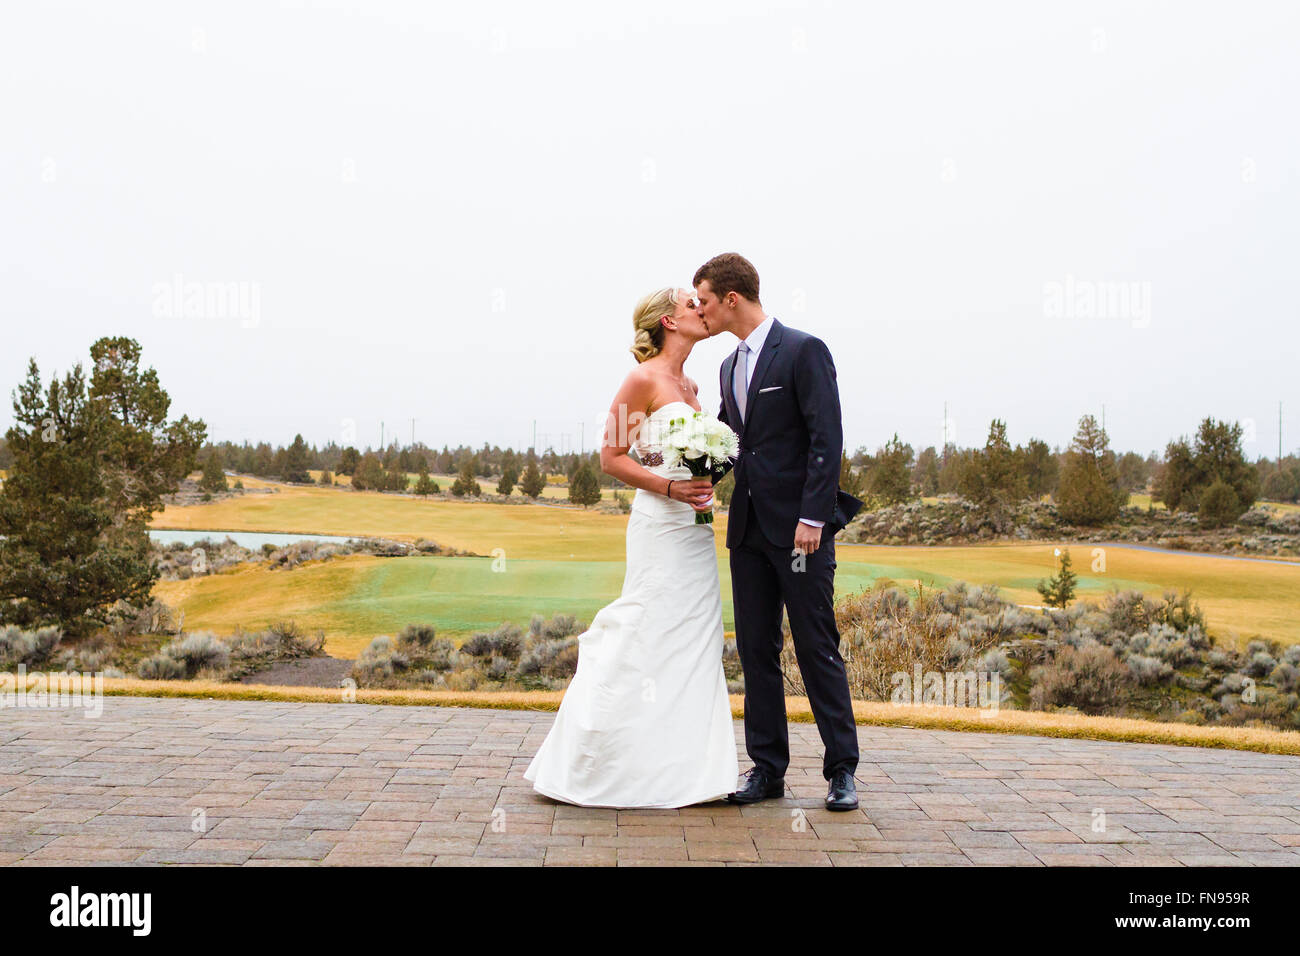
(448, 211)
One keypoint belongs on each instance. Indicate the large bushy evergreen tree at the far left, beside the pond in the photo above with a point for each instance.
(90, 468)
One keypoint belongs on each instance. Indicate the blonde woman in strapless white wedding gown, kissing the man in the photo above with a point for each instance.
(647, 720)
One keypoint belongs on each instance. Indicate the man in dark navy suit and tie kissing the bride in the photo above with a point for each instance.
(781, 397)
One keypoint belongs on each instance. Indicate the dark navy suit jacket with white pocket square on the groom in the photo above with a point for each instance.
(791, 440)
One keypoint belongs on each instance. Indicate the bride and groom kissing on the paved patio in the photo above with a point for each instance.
(647, 720)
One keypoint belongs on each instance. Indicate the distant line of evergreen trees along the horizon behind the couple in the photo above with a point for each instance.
(1090, 483)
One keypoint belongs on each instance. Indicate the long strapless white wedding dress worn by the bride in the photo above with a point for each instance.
(647, 720)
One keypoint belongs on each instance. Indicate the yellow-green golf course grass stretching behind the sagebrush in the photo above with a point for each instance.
(571, 561)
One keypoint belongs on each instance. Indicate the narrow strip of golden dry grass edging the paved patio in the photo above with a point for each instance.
(926, 717)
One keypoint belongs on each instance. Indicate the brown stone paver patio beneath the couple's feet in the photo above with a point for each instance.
(268, 784)
